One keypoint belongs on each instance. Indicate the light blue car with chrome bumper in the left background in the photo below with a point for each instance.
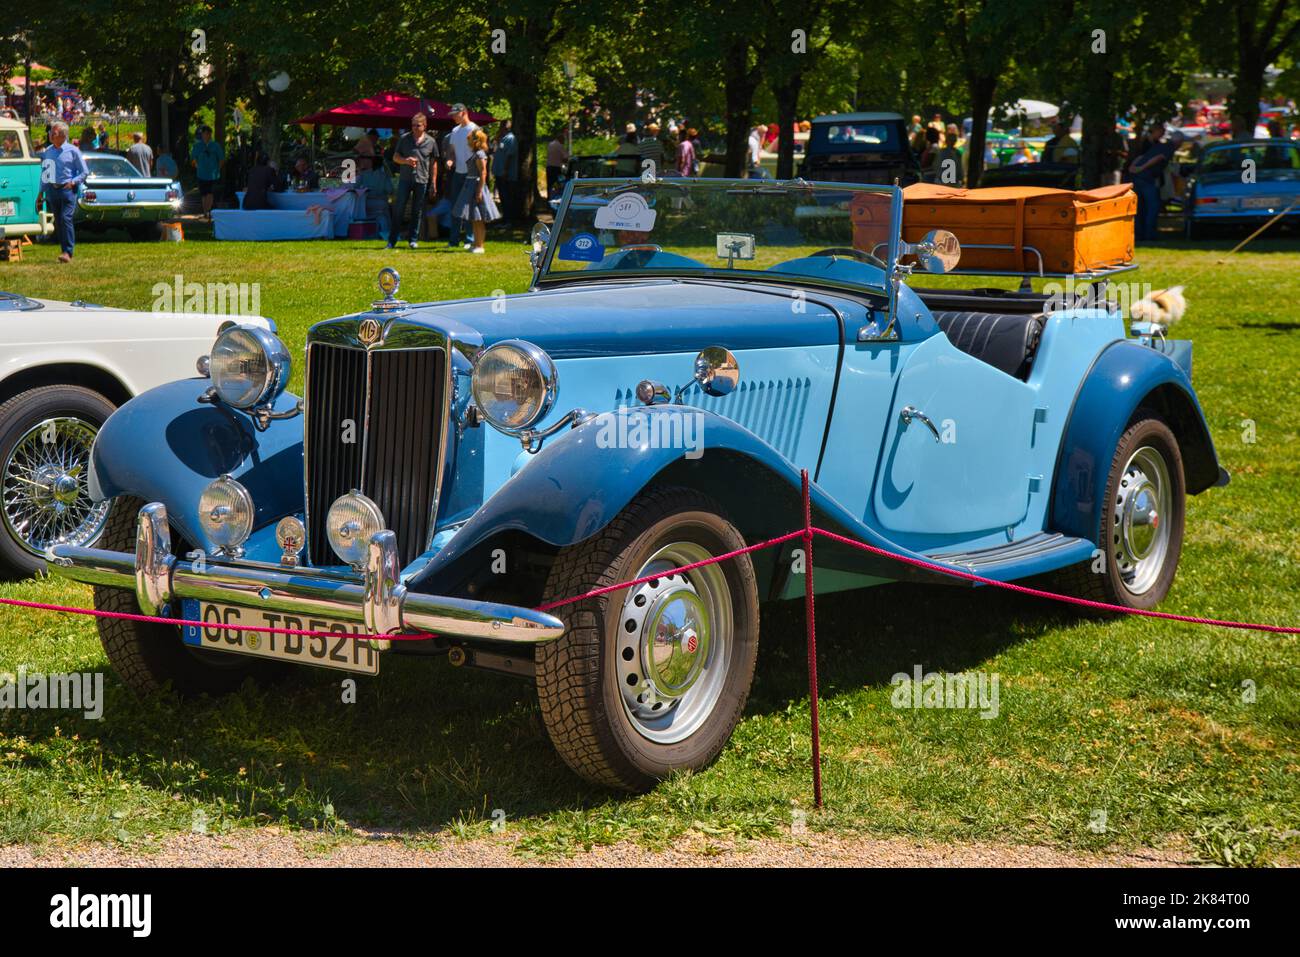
(118, 194)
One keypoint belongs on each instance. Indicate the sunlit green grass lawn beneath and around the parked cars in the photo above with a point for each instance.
(1139, 722)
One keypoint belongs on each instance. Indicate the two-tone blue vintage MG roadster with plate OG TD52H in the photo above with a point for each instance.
(688, 348)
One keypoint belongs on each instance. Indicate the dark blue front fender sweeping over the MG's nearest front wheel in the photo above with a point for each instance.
(575, 486)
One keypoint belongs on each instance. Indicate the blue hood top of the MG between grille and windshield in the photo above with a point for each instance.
(645, 318)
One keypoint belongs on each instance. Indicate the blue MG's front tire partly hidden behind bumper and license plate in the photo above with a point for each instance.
(151, 657)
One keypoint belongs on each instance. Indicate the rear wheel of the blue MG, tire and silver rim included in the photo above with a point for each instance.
(1142, 523)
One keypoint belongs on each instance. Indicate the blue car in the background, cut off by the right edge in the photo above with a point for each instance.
(1243, 184)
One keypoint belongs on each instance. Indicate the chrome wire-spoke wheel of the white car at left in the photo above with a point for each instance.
(46, 492)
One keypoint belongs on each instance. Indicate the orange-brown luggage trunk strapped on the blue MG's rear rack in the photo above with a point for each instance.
(1074, 232)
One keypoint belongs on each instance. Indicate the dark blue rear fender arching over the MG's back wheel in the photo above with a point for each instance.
(1125, 378)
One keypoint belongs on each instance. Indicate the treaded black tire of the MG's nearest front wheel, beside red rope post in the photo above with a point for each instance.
(577, 681)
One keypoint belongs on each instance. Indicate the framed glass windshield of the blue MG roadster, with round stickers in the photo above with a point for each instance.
(730, 227)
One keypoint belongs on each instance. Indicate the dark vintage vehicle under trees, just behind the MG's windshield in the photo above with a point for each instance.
(860, 149)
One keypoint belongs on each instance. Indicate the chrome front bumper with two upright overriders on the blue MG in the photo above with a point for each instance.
(382, 603)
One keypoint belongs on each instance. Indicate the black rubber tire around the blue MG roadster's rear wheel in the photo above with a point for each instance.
(1080, 581)
